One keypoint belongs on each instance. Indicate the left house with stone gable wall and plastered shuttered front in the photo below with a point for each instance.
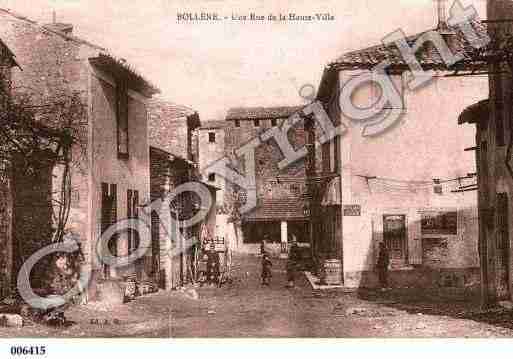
(57, 65)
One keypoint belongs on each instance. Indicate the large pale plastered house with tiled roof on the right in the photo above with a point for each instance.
(413, 185)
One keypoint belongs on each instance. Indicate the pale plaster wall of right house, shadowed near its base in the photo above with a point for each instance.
(427, 143)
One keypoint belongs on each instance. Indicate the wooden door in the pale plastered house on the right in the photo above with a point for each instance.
(394, 236)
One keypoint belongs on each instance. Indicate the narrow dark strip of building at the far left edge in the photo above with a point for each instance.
(7, 63)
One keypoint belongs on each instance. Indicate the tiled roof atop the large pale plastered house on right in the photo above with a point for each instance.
(372, 56)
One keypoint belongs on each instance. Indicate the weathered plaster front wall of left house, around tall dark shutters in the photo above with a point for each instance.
(132, 173)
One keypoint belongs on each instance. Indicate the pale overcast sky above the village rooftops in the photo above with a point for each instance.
(214, 66)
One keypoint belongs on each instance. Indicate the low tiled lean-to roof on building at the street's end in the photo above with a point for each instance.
(277, 210)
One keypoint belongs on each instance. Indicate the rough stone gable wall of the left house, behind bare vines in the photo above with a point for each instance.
(53, 68)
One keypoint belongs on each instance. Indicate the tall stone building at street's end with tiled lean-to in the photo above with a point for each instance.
(279, 213)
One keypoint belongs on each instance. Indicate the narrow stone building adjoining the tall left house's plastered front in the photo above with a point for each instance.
(173, 136)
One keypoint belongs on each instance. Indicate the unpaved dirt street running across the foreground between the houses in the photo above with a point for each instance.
(245, 308)
